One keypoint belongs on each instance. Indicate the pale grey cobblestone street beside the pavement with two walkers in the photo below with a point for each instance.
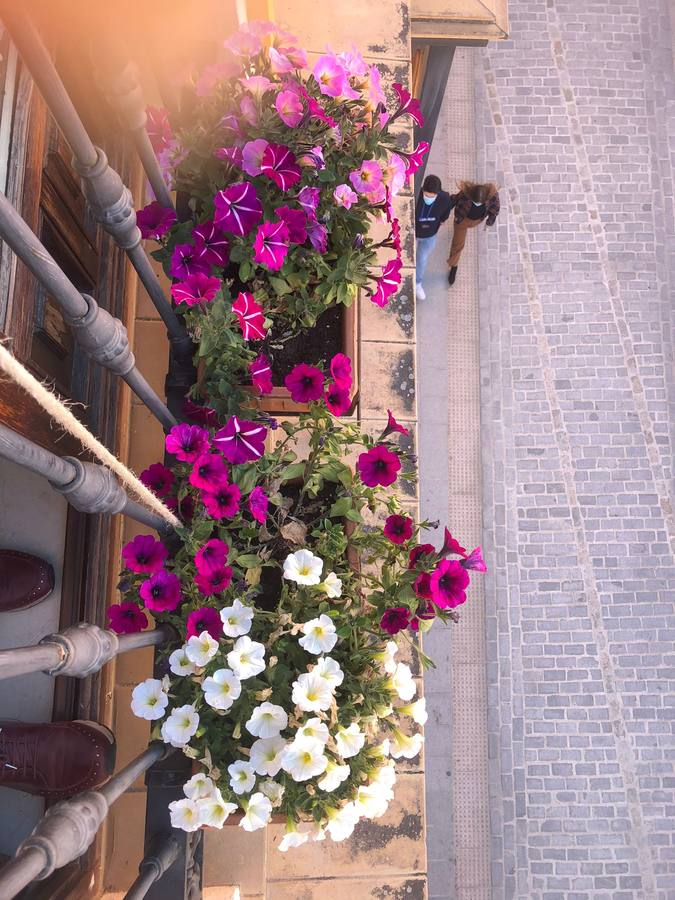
(575, 120)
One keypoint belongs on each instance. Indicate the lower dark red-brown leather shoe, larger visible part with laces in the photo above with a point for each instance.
(57, 759)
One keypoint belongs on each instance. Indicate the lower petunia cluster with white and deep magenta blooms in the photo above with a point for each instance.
(284, 584)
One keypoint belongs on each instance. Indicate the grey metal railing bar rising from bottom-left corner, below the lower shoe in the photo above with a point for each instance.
(69, 827)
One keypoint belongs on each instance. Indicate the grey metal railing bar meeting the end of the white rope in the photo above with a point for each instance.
(87, 486)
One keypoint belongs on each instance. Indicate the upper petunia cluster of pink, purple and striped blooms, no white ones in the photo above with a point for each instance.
(282, 170)
